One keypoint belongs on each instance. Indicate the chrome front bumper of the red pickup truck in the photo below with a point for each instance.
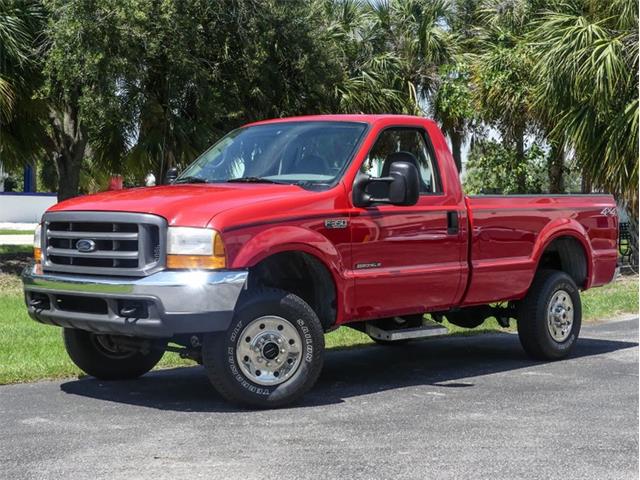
(167, 303)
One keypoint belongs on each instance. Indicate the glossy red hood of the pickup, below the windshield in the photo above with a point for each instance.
(183, 205)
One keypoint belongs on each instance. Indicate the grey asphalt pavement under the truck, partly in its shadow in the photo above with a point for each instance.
(446, 408)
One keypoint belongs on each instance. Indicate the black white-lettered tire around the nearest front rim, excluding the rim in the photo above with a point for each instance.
(219, 350)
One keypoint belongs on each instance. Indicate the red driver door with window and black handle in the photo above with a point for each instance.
(406, 259)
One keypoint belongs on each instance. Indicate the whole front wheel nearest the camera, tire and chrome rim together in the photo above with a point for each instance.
(271, 354)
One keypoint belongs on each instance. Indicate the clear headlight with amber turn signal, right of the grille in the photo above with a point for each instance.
(194, 248)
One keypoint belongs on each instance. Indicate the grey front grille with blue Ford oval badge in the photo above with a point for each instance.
(114, 243)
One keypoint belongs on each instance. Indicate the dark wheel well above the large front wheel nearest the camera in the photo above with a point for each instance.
(301, 274)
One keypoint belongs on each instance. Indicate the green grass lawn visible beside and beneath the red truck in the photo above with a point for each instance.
(30, 351)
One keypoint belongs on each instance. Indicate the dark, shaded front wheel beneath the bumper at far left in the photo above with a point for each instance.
(103, 357)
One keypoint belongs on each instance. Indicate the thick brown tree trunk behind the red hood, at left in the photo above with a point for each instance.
(70, 142)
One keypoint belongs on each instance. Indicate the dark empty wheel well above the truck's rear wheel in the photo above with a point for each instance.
(566, 254)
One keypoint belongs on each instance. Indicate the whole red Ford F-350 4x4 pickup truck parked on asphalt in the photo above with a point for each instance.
(287, 229)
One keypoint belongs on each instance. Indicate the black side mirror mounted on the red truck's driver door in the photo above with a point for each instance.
(403, 185)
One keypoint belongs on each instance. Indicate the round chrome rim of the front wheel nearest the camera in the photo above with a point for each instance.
(269, 351)
